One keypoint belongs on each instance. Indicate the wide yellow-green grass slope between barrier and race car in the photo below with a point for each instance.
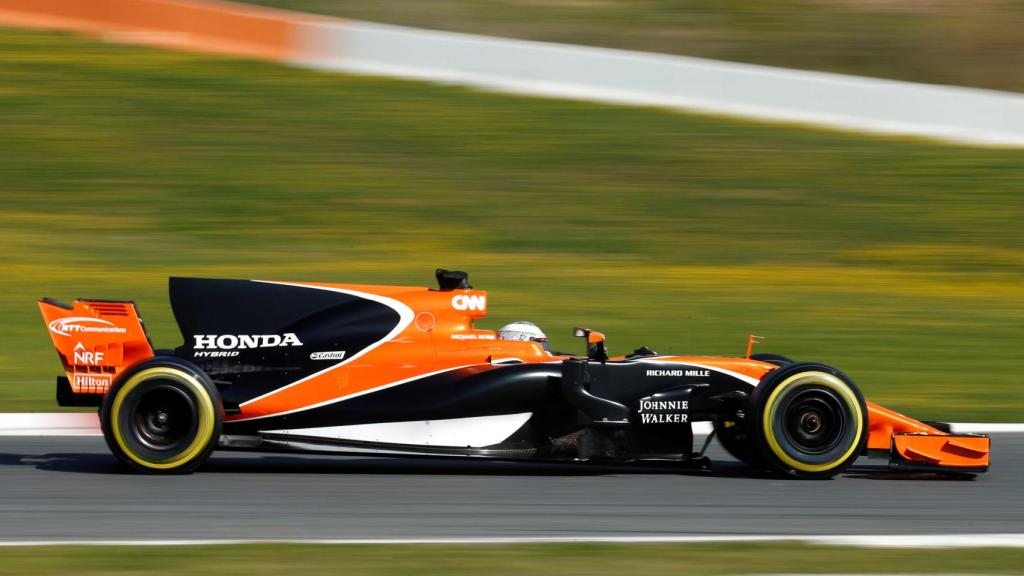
(902, 263)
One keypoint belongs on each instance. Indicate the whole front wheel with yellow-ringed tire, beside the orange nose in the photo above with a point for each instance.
(810, 421)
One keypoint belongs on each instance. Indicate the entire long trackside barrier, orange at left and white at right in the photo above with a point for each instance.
(849, 103)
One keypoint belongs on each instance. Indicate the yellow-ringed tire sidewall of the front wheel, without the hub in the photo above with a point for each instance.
(761, 398)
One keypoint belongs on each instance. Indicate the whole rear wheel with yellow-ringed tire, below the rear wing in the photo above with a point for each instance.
(162, 417)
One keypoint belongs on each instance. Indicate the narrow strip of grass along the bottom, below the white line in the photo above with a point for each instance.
(591, 560)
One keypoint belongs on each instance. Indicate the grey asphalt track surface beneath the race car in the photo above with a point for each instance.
(62, 488)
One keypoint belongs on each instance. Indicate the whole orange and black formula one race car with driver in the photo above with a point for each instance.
(393, 371)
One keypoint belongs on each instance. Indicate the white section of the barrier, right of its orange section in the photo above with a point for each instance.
(948, 113)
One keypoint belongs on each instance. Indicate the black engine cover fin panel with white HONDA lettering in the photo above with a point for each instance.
(254, 338)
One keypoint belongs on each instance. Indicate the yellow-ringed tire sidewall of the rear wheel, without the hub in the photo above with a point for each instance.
(191, 379)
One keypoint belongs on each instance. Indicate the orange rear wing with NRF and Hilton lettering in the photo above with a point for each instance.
(96, 341)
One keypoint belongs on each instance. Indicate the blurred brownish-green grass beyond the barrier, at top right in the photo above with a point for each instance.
(972, 44)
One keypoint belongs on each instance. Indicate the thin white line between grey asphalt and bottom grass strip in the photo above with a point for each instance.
(901, 542)
